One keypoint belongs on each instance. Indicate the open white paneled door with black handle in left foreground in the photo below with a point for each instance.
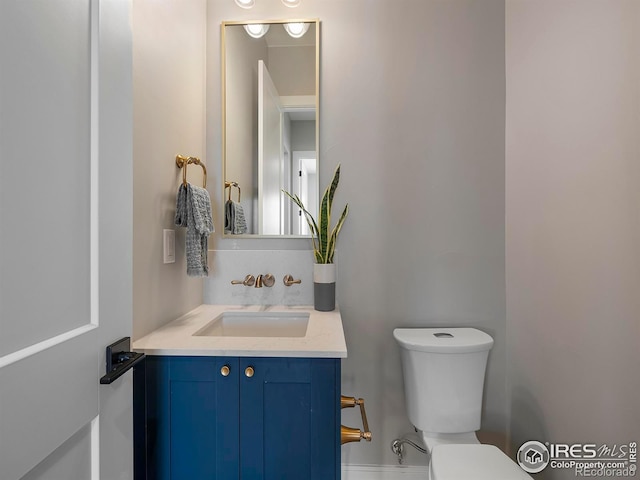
(65, 237)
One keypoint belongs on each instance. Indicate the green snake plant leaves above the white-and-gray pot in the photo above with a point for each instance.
(322, 238)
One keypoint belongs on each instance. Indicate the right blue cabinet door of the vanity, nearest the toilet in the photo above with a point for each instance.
(289, 419)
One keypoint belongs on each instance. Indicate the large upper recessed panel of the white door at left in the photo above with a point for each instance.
(43, 179)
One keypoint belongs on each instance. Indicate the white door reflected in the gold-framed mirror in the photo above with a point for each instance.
(269, 154)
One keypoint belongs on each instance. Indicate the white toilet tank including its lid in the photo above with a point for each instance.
(443, 372)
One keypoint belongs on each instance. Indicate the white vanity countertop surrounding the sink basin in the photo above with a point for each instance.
(324, 337)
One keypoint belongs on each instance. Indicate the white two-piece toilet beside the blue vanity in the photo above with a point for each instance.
(443, 372)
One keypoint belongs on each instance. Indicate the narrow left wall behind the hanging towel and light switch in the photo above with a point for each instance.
(168, 109)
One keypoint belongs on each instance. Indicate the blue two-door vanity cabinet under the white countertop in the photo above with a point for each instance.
(249, 418)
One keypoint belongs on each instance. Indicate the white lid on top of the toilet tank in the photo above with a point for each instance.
(443, 340)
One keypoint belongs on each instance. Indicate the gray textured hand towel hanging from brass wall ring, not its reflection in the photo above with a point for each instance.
(193, 210)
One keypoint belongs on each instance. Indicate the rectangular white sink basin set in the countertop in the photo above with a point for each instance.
(256, 324)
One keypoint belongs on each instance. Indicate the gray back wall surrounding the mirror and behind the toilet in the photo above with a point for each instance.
(412, 105)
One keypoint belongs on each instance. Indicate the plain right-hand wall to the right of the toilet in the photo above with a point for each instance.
(573, 236)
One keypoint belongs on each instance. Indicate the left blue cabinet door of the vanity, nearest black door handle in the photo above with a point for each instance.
(192, 418)
